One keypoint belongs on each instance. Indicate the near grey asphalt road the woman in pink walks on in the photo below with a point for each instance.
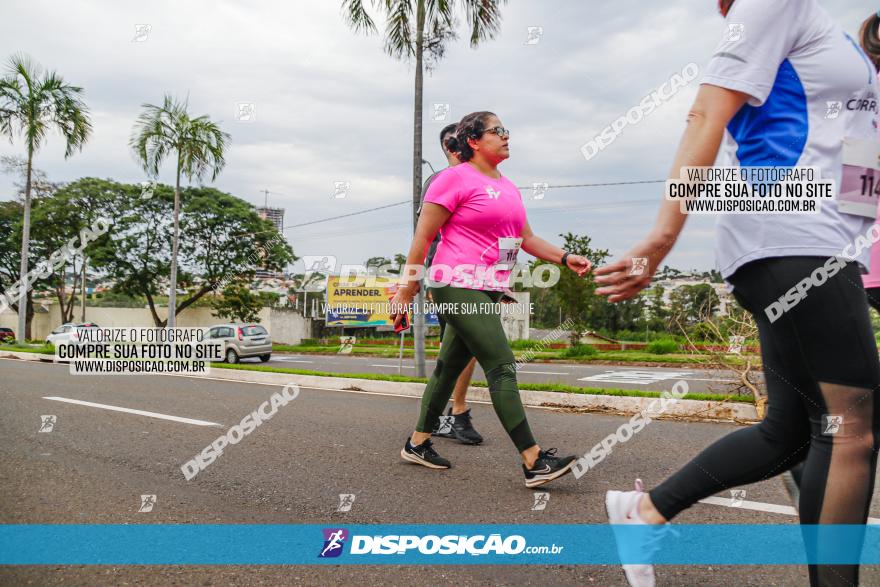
(95, 464)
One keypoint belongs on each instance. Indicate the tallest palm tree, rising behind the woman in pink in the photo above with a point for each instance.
(416, 29)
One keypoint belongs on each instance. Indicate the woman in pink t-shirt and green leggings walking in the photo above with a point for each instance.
(481, 217)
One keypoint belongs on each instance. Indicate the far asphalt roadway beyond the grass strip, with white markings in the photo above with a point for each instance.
(602, 376)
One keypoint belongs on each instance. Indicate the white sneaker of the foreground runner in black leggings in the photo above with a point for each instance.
(623, 509)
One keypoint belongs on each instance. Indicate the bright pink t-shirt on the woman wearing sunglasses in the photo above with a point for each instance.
(479, 241)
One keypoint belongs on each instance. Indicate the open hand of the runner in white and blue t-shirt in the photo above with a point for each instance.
(626, 277)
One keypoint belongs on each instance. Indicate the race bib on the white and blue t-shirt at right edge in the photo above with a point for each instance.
(860, 186)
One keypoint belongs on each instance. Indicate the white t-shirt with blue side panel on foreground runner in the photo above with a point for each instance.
(811, 86)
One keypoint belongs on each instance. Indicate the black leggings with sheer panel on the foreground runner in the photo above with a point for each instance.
(820, 364)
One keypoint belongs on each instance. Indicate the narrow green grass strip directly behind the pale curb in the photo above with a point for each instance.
(529, 386)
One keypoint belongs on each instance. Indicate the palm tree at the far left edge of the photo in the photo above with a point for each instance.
(35, 102)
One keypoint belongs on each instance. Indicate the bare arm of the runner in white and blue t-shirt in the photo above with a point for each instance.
(707, 119)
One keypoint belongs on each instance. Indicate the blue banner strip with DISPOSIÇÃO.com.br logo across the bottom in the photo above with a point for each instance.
(270, 544)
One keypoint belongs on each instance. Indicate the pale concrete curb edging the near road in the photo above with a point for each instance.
(685, 408)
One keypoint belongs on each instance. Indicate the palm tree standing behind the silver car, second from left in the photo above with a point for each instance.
(199, 146)
